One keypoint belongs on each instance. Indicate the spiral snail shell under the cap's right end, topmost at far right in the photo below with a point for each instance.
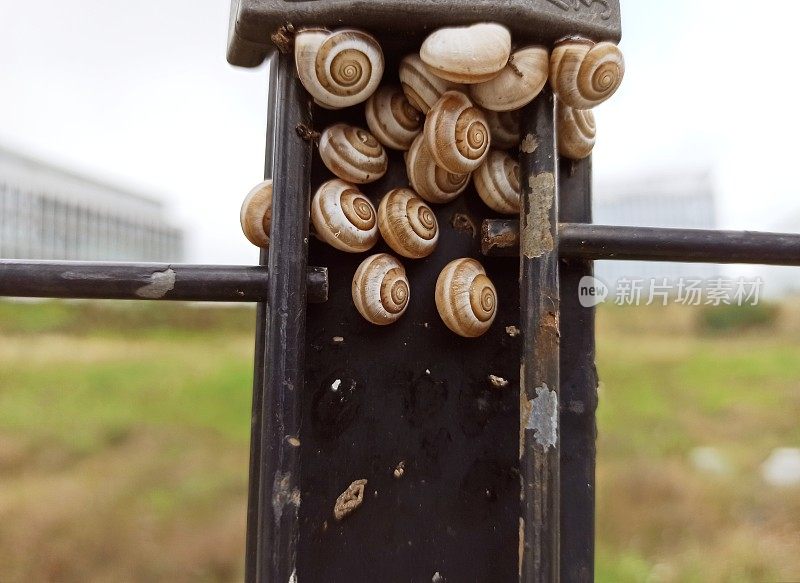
(584, 74)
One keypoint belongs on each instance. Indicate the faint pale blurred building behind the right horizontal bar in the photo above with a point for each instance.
(680, 199)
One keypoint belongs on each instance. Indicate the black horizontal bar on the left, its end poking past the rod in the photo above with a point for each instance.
(145, 281)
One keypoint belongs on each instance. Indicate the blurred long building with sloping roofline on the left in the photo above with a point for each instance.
(50, 213)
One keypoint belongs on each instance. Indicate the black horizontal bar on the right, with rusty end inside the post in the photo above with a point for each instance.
(602, 242)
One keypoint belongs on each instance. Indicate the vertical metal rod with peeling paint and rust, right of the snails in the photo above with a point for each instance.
(539, 303)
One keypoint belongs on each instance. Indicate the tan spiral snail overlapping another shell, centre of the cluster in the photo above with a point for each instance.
(457, 134)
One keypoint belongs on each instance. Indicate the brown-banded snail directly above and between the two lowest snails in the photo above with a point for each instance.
(407, 224)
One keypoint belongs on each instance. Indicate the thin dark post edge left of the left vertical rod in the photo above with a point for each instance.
(253, 484)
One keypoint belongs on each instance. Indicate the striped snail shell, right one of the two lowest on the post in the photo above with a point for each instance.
(466, 298)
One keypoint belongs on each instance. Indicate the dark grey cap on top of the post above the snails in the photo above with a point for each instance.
(405, 23)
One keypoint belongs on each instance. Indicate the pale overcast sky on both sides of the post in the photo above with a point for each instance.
(139, 93)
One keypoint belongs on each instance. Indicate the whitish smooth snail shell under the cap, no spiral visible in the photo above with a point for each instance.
(467, 54)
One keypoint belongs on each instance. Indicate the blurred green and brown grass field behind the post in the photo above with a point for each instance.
(124, 444)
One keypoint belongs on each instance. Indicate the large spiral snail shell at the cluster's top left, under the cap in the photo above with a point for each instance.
(340, 68)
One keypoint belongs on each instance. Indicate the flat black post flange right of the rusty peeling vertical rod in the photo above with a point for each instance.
(578, 388)
